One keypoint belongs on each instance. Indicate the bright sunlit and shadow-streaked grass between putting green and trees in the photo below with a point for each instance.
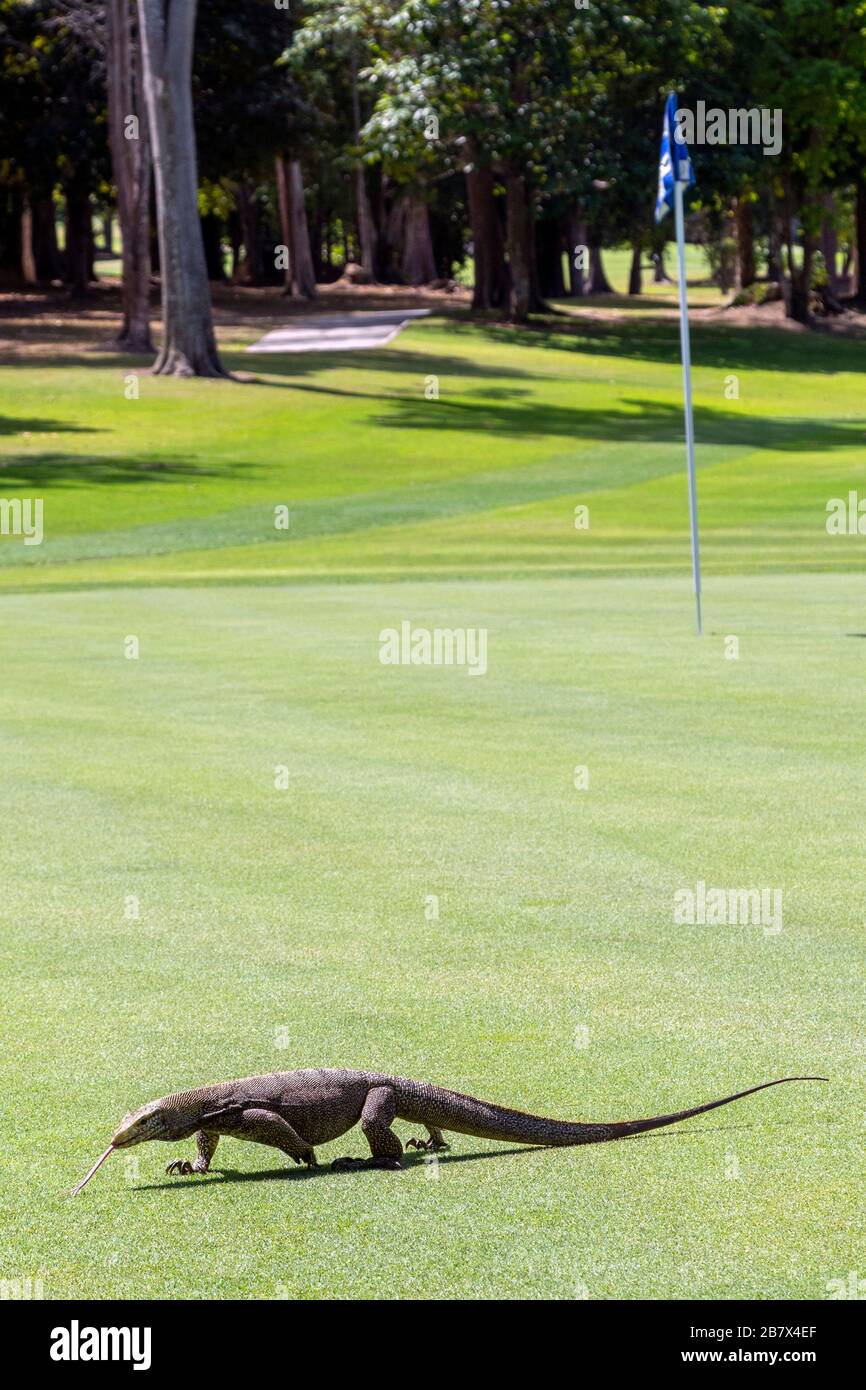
(383, 482)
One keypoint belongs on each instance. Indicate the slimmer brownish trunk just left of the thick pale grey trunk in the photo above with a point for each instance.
(131, 162)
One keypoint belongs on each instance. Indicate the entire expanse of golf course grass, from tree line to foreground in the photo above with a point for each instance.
(430, 893)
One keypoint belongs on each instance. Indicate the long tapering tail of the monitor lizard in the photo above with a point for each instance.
(466, 1115)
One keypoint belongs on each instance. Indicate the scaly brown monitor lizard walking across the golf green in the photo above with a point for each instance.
(297, 1111)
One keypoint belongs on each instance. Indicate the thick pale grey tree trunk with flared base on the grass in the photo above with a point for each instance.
(190, 348)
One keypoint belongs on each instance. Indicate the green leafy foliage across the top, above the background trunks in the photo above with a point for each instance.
(568, 98)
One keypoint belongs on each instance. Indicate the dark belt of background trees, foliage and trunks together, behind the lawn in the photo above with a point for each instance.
(432, 136)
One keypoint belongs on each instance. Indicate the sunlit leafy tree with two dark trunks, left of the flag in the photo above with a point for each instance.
(497, 83)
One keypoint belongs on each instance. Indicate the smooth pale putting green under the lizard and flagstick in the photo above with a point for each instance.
(284, 928)
